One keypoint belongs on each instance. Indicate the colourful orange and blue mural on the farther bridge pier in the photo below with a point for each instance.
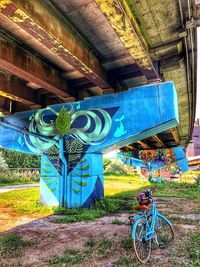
(158, 164)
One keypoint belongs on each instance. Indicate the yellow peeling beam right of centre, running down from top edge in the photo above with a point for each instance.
(120, 17)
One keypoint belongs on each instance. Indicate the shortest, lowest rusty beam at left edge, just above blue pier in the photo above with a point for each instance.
(16, 90)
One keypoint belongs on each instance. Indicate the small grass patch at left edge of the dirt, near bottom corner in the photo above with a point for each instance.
(11, 245)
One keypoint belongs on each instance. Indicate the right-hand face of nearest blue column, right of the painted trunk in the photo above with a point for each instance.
(85, 181)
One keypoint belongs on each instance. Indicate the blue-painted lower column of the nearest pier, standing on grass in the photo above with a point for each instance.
(81, 187)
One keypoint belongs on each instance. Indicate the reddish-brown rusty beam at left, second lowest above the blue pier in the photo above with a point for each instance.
(18, 61)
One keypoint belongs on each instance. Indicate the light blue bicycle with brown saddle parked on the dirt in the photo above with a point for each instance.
(149, 225)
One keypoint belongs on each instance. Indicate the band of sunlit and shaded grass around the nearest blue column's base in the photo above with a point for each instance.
(120, 192)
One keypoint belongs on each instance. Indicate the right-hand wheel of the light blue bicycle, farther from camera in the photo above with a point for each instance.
(164, 231)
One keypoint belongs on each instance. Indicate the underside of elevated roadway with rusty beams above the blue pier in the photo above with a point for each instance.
(61, 51)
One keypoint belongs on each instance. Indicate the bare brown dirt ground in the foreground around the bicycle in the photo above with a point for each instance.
(50, 238)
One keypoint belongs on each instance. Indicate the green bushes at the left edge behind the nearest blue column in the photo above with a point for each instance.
(15, 159)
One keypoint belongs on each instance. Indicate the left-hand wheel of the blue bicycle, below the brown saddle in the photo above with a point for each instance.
(142, 247)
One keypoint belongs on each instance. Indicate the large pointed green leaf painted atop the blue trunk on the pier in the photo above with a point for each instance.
(62, 123)
